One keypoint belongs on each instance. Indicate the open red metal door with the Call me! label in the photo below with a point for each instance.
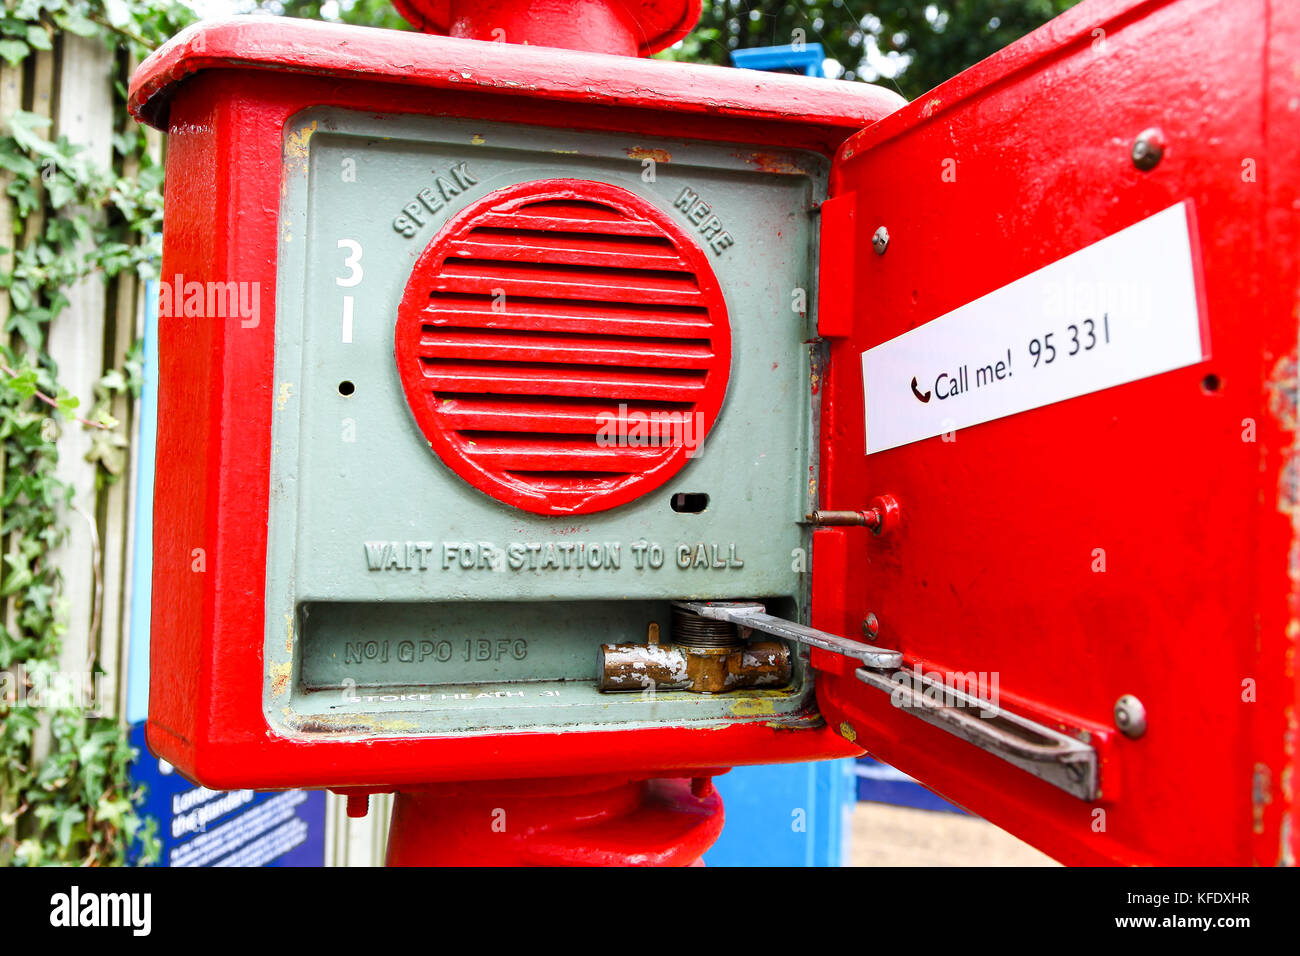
(1095, 465)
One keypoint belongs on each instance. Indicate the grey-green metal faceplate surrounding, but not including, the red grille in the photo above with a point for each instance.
(369, 531)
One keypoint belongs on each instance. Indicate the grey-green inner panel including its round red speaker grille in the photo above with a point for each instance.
(445, 611)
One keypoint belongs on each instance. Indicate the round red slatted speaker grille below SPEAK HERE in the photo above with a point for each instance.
(564, 345)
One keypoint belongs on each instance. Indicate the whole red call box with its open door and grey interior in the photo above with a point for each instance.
(1020, 466)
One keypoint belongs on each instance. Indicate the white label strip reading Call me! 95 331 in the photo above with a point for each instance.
(1120, 310)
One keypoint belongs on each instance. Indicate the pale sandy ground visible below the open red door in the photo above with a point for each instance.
(886, 836)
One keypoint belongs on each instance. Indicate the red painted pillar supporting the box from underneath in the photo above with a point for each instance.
(583, 823)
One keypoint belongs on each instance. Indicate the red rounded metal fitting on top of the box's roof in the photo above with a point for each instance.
(631, 28)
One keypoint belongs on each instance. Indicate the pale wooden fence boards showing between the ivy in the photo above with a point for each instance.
(73, 86)
